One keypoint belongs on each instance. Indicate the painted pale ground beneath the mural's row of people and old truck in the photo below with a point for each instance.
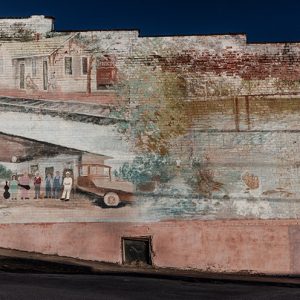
(80, 208)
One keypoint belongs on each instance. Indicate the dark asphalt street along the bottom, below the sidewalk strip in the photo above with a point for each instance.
(88, 287)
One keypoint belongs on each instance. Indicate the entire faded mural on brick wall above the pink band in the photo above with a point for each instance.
(111, 126)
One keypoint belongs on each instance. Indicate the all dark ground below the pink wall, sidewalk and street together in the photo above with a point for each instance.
(26, 275)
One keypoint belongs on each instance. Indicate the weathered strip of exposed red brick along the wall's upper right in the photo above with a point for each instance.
(221, 66)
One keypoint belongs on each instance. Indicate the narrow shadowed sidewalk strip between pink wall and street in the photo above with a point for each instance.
(29, 262)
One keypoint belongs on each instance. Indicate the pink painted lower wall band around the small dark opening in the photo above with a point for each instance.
(256, 246)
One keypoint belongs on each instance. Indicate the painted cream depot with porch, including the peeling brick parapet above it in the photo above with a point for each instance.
(62, 64)
